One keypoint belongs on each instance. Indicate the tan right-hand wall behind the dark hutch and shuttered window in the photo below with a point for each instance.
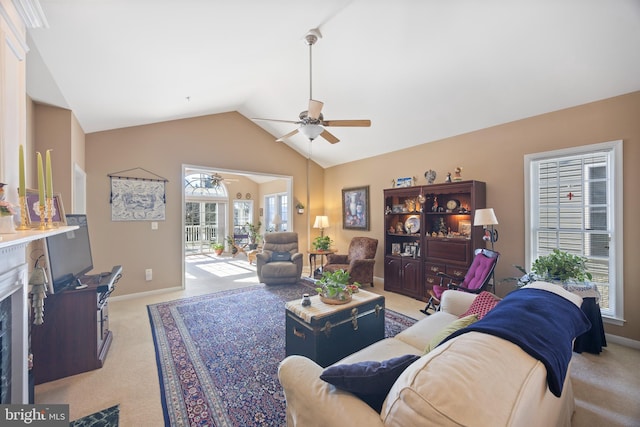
(496, 156)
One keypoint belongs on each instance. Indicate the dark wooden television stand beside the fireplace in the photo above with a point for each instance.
(75, 335)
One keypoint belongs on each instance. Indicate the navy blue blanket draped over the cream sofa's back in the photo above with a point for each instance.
(542, 323)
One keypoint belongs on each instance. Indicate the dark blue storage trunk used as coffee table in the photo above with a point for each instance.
(326, 333)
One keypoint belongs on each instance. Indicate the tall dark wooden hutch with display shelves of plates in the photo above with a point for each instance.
(429, 229)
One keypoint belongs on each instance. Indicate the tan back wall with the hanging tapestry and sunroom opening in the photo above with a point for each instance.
(227, 141)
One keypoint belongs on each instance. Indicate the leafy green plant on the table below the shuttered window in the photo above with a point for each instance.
(558, 266)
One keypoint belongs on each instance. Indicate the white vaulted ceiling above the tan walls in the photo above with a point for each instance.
(419, 70)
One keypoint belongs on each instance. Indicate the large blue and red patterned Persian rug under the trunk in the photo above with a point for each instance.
(218, 355)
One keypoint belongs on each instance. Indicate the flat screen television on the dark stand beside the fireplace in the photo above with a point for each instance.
(68, 254)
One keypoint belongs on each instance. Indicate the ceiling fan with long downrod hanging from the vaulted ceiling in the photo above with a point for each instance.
(311, 121)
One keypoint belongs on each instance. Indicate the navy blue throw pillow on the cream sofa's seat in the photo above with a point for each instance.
(370, 381)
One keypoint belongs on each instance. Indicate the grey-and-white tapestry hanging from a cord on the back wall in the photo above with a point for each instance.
(137, 198)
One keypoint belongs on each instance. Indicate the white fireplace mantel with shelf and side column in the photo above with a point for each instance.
(14, 284)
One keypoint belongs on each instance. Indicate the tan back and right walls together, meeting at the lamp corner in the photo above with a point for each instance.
(229, 141)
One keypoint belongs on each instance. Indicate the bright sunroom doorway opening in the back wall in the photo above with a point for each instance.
(217, 204)
